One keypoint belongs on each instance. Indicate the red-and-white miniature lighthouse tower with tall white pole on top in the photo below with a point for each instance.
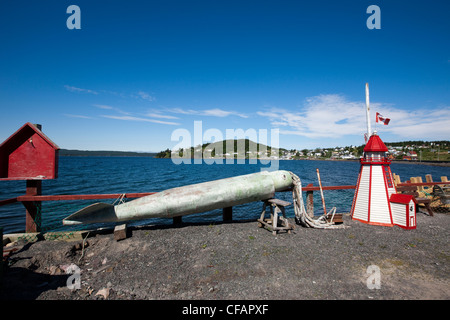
(371, 202)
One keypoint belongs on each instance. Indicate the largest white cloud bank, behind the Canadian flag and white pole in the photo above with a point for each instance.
(333, 116)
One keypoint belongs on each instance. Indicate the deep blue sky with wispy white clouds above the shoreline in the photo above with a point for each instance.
(137, 71)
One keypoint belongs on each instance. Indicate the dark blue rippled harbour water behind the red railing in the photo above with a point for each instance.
(97, 175)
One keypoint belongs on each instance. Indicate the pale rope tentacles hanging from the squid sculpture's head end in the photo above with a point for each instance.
(301, 217)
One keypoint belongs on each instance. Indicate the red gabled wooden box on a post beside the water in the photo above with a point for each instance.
(28, 154)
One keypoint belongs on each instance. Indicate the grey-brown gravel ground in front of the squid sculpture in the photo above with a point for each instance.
(239, 261)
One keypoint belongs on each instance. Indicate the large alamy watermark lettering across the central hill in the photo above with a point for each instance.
(235, 146)
